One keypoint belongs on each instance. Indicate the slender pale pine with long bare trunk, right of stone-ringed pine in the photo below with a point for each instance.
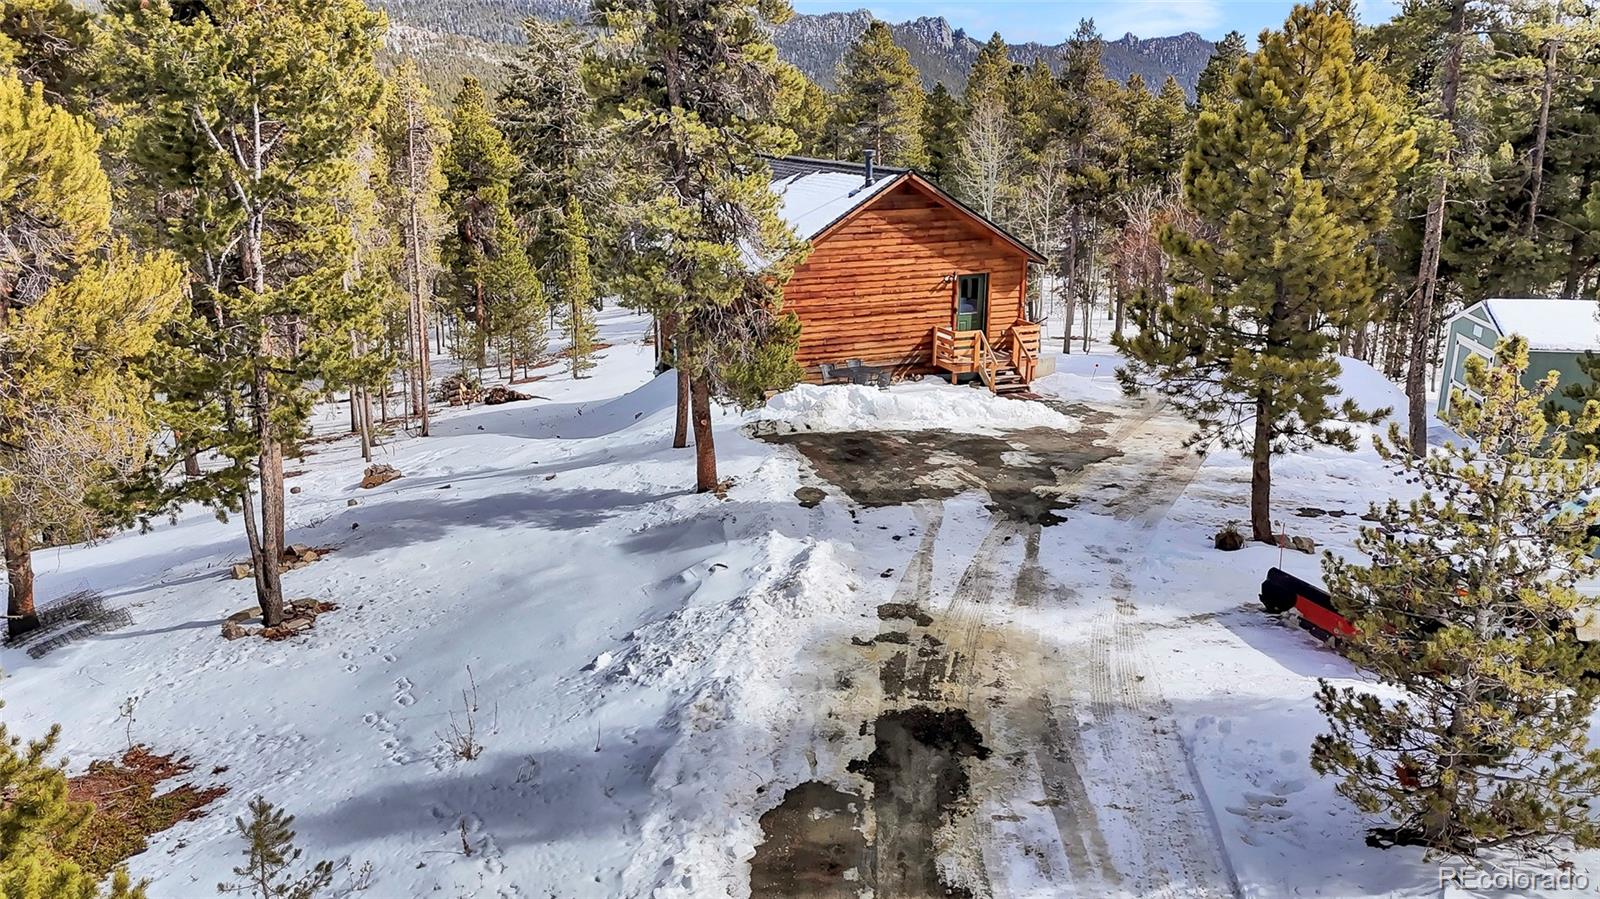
(414, 137)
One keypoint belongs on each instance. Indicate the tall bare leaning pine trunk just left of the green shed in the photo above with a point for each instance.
(1433, 242)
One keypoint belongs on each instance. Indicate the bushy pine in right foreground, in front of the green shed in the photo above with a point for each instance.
(1468, 607)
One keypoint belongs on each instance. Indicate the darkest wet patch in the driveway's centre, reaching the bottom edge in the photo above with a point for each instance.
(918, 785)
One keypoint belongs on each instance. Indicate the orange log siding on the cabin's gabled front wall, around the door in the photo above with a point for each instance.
(878, 284)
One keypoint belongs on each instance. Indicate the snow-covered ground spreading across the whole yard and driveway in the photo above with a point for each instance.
(657, 669)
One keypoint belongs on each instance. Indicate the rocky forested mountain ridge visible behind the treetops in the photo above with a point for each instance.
(814, 44)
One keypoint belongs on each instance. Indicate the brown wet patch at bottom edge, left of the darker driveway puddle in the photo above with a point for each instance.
(814, 849)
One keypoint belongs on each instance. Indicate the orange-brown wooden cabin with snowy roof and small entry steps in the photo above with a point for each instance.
(903, 279)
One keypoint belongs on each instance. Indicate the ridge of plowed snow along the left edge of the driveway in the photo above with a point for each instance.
(745, 722)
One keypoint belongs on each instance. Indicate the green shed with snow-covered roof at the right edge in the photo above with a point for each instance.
(1558, 332)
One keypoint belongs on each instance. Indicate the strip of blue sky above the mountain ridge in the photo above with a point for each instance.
(1050, 22)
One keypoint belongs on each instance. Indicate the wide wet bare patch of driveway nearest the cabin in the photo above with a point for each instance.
(1023, 471)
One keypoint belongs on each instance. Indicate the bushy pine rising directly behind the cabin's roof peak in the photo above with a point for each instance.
(881, 100)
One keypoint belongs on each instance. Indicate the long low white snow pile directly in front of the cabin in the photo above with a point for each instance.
(922, 406)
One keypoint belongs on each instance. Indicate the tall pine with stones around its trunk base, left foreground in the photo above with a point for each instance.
(252, 110)
